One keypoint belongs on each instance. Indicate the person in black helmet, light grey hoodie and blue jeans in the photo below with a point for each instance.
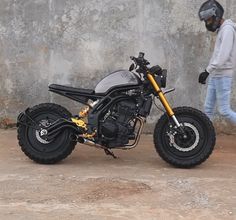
(223, 61)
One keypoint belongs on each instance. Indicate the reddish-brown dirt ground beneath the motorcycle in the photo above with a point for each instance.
(138, 185)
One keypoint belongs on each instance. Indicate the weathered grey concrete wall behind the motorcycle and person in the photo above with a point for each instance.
(78, 42)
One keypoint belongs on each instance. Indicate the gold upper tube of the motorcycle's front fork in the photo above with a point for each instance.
(161, 95)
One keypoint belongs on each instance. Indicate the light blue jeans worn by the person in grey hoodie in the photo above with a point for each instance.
(218, 92)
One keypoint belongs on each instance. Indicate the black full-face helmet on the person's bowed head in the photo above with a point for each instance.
(211, 9)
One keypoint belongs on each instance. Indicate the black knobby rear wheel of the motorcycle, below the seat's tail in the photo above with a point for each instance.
(38, 149)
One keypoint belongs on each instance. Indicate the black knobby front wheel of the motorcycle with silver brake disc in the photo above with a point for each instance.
(193, 150)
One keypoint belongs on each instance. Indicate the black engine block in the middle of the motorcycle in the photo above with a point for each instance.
(117, 128)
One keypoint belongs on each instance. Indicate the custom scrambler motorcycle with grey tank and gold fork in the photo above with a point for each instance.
(113, 118)
